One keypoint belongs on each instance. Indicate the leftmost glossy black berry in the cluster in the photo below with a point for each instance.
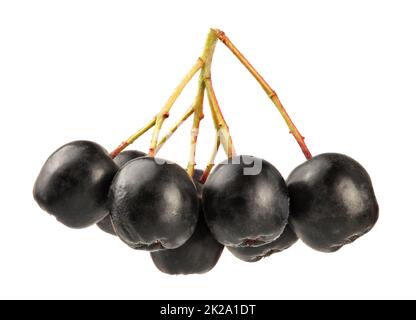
(73, 183)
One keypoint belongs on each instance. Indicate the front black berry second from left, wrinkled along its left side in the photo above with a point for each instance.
(153, 204)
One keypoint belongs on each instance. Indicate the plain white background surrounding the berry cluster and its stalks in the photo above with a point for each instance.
(99, 70)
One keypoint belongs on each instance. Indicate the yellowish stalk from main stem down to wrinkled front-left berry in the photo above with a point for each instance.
(164, 113)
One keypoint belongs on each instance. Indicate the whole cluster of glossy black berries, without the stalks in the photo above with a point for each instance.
(153, 205)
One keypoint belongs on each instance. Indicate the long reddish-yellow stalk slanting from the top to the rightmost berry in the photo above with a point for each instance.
(269, 91)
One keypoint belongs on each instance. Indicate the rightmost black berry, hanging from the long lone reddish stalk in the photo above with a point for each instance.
(332, 201)
